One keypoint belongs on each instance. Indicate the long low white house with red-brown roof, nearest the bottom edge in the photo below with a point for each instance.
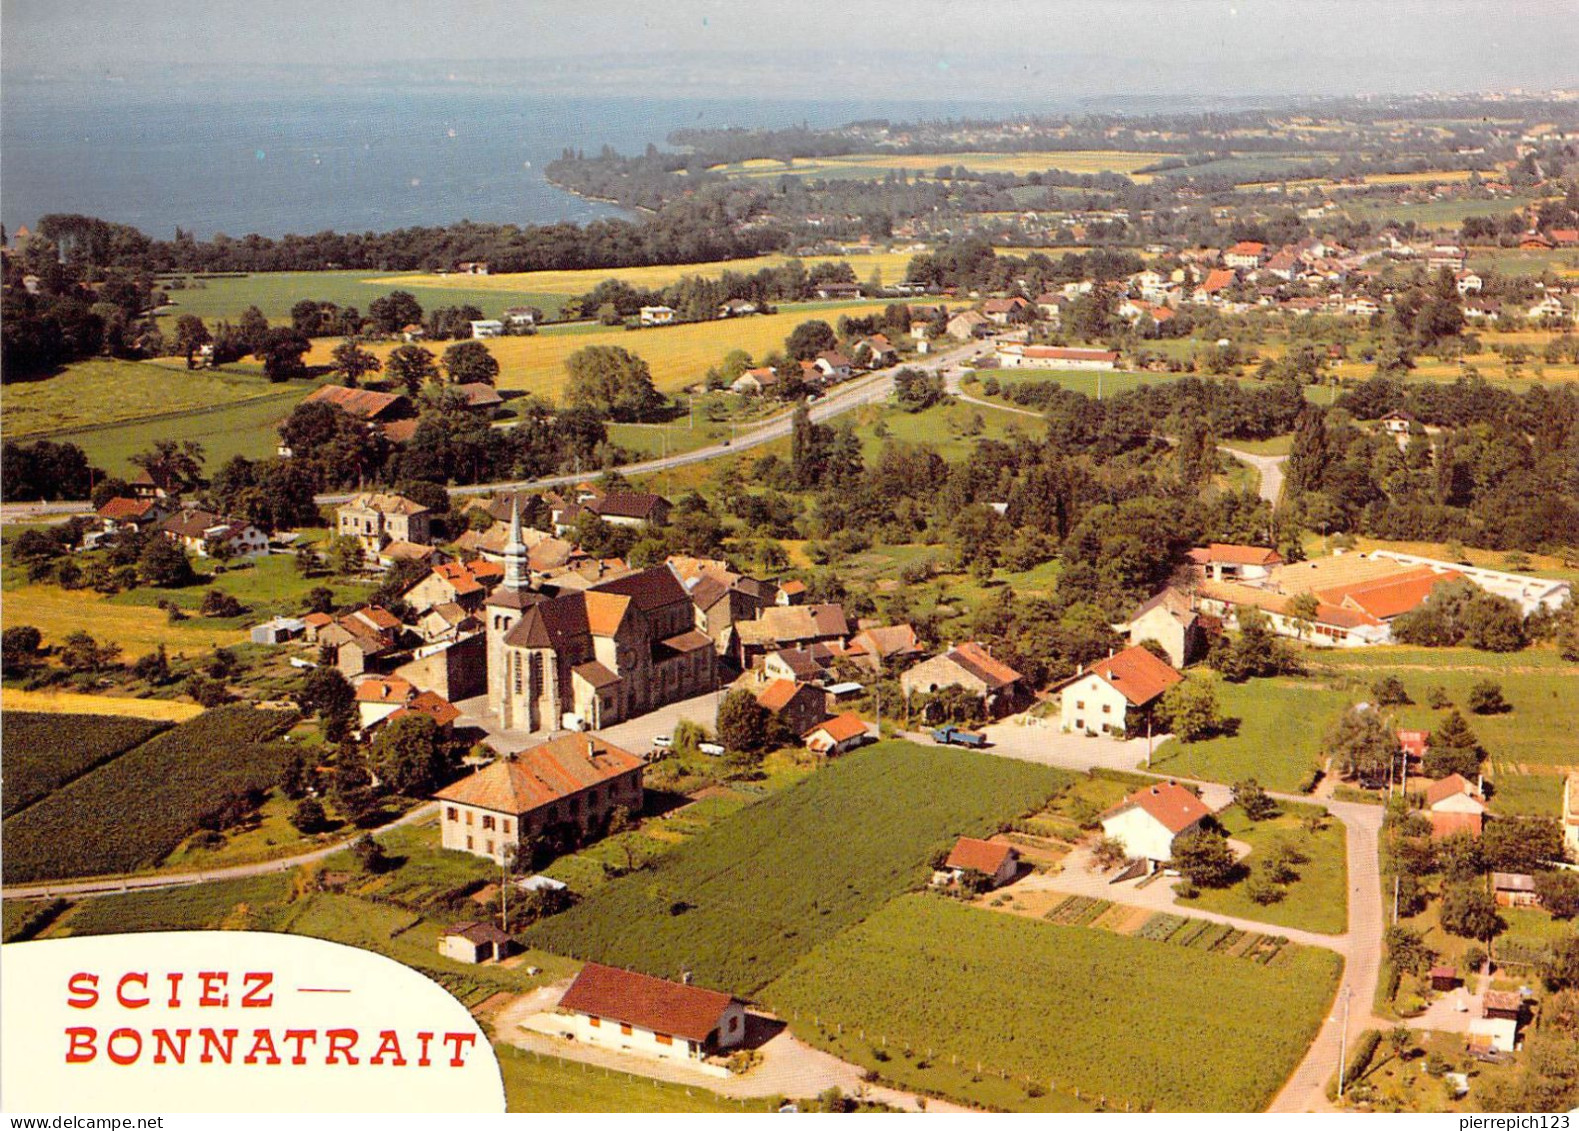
(648, 1016)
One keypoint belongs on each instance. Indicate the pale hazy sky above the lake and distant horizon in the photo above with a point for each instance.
(996, 50)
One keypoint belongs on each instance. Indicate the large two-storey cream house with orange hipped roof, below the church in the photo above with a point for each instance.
(572, 781)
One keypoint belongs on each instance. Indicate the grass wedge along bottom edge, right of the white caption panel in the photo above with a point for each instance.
(549, 1084)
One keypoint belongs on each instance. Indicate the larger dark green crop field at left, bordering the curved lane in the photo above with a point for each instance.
(135, 810)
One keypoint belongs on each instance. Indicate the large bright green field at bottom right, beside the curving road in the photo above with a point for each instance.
(981, 1007)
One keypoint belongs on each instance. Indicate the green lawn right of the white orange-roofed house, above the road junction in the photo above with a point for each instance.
(1281, 727)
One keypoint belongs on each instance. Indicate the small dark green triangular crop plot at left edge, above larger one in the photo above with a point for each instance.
(42, 753)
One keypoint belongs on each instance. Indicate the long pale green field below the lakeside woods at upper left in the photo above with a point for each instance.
(216, 299)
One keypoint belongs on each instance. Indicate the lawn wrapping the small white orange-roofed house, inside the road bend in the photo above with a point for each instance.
(1318, 901)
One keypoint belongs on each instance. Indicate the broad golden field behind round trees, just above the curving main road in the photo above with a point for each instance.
(680, 356)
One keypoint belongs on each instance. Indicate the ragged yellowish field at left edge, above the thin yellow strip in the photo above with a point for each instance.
(138, 629)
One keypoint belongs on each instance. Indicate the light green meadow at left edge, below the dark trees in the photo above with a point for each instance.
(108, 391)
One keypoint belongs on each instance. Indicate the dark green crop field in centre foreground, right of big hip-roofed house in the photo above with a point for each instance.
(740, 903)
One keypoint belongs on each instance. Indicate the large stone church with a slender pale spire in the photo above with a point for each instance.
(594, 658)
